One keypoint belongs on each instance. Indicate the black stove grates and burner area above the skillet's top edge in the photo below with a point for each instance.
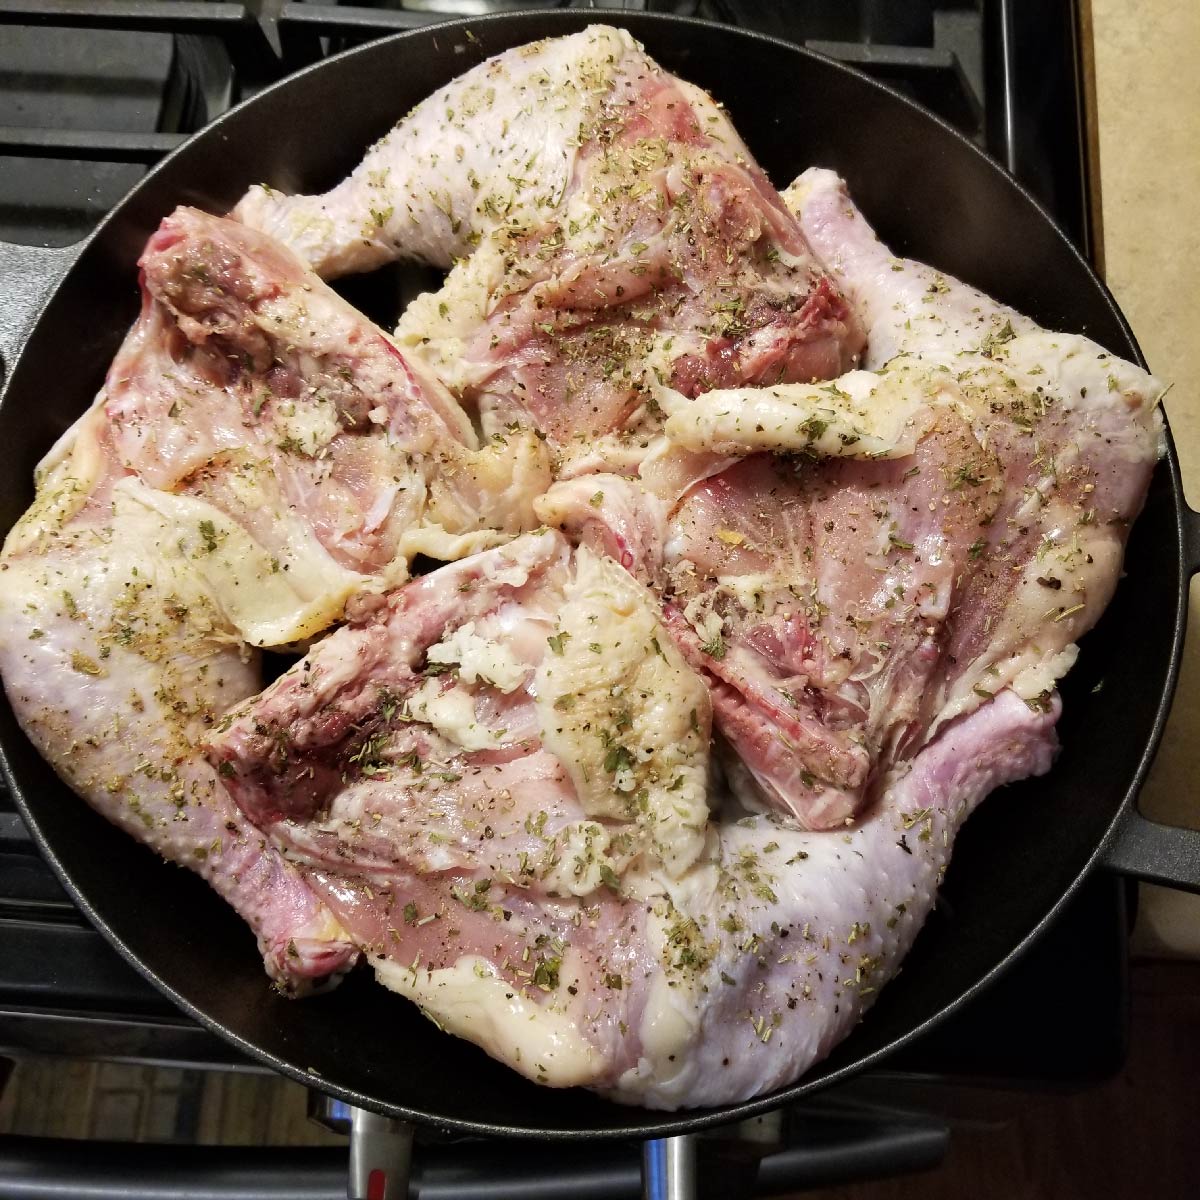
(1005, 73)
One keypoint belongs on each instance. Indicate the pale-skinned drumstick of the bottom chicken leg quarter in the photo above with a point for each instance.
(801, 931)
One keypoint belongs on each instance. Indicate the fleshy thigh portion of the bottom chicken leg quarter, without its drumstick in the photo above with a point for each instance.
(499, 781)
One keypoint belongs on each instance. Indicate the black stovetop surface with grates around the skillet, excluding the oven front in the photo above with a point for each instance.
(82, 113)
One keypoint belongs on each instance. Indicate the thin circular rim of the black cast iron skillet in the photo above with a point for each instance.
(652, 1123)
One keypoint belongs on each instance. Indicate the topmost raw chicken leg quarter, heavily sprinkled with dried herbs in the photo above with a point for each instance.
(611, 231)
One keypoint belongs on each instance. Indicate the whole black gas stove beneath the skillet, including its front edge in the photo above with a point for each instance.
(91, 97)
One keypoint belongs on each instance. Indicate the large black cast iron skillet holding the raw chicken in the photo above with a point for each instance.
(933, 196)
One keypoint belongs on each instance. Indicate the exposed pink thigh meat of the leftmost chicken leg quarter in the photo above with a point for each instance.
(259, 389)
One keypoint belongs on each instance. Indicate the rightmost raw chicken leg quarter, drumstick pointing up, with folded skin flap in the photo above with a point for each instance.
(926, 536)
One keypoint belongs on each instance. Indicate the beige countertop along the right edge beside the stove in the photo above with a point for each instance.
(1145, 125)
